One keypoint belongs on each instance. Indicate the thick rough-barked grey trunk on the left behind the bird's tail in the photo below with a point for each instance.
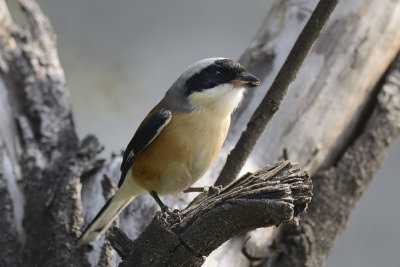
(50, 156)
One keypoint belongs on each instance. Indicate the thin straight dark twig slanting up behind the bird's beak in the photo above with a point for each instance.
(277, 92)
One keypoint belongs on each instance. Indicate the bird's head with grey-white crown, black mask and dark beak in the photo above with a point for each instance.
(213, 84)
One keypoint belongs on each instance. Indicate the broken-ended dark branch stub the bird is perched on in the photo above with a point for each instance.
(269, 197)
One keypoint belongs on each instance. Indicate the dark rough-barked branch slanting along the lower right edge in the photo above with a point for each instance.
(339, 188)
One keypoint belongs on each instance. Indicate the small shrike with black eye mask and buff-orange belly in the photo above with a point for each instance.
(179, 139)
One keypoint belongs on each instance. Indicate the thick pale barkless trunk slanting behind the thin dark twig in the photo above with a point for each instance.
(319, 115)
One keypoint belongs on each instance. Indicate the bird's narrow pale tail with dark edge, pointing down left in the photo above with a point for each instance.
(108, 213)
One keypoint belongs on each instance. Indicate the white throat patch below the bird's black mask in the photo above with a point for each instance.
(220, 100)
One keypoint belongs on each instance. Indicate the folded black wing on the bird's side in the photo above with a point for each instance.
(150, 128)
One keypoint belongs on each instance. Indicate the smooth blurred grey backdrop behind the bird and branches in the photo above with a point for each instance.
(120, 57)
